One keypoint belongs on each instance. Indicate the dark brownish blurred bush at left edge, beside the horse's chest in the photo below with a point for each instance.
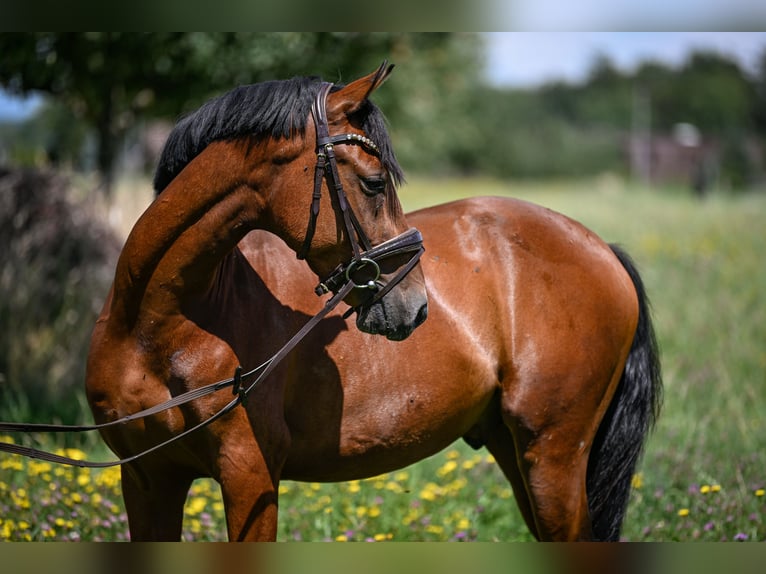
(56, 264)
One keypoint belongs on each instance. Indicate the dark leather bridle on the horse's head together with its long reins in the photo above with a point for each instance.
(362, 271)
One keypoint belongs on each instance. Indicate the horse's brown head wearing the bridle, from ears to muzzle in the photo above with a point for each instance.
(334, 202)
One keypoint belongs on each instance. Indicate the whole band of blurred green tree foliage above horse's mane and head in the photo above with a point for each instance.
(111, 79)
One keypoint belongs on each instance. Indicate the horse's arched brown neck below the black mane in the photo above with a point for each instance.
(175, 247)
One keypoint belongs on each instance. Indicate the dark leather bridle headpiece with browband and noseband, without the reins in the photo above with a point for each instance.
(363, 270)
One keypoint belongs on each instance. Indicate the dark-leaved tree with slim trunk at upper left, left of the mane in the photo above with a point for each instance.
(107, 79)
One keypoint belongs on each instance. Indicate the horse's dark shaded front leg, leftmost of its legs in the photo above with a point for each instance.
(154, 500)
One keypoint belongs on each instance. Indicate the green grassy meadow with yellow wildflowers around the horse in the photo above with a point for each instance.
(703, 476)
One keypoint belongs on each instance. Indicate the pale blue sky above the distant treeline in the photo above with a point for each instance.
(523, 59)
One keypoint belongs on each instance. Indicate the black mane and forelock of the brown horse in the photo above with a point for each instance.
(274, 109)
